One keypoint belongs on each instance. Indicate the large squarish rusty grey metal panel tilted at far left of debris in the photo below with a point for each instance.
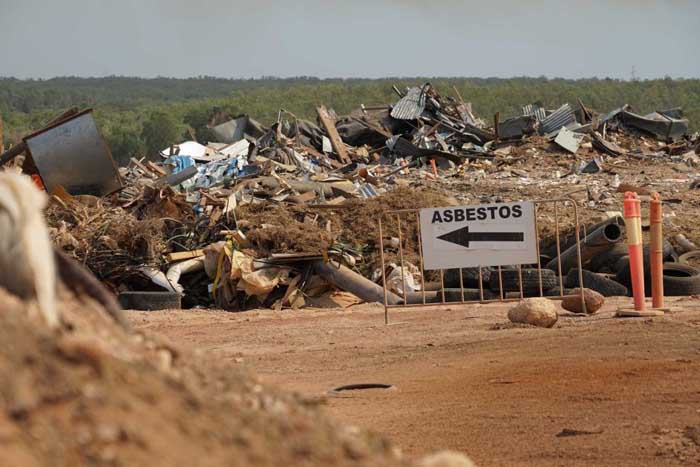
(73, 154)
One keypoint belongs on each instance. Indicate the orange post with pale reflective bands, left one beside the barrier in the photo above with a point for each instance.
(633, 224)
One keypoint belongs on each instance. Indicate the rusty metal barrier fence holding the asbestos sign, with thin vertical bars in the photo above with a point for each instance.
(422, 299)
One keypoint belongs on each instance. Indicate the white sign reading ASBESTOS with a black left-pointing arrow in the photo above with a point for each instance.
(483, 235)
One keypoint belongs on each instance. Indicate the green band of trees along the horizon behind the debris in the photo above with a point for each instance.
(138, 115)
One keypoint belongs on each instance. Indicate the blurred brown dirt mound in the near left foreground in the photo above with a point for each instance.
(91, 393)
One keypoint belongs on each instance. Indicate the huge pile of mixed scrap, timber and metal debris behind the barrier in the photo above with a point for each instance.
(244, 221)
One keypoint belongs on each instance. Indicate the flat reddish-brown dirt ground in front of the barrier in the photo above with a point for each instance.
(591, 391)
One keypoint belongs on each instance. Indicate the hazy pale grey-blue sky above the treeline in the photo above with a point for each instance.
(350, 38)
